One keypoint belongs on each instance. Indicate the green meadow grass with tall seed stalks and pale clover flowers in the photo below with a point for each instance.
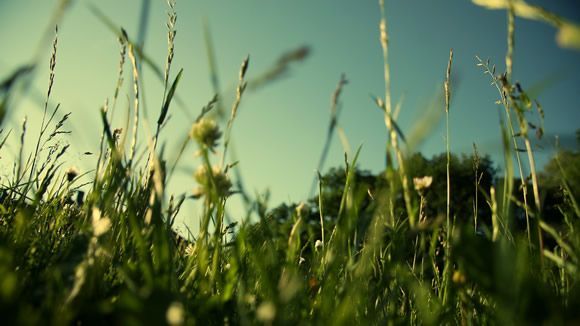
(398, 247)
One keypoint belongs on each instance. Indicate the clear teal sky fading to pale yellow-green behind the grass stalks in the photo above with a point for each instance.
(280, 129)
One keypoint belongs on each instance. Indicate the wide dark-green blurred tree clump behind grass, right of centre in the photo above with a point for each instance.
(367, 187)
